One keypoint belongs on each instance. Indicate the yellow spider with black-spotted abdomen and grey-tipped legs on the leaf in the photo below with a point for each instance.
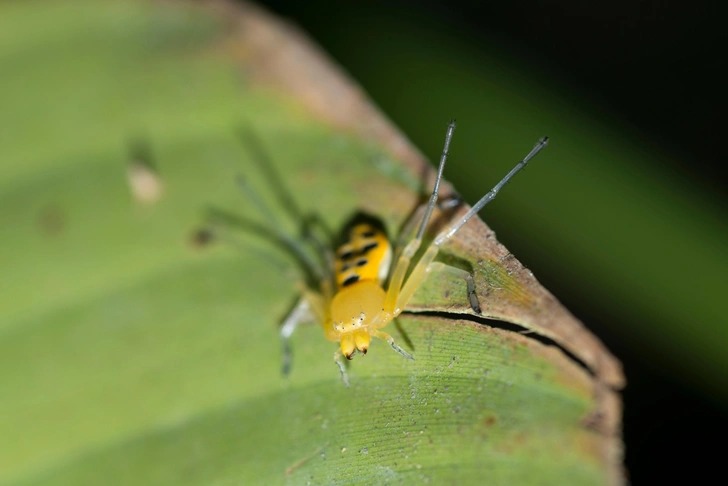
(351, 303)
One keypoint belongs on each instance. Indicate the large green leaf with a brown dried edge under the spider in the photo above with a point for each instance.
(132, 354)
